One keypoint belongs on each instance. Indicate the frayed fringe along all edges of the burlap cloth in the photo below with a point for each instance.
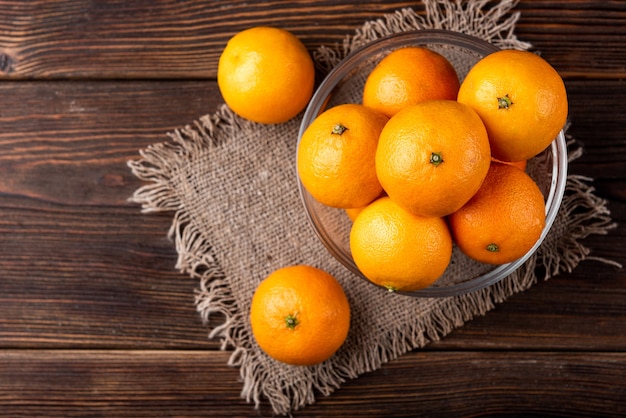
(583, 214)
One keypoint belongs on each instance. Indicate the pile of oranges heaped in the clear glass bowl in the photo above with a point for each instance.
(438, 162)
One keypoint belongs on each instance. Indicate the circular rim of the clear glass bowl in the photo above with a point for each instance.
(558, 149)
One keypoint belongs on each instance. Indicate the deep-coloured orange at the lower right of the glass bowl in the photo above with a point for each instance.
(503, 220)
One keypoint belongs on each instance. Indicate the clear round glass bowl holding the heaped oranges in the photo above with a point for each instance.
(344, 84)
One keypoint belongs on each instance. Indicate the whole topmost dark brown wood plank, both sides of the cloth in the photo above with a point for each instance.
(183, 39)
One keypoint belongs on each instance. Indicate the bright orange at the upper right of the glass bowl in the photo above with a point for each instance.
(521, 99)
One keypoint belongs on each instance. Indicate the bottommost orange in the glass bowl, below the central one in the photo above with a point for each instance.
(398, 250)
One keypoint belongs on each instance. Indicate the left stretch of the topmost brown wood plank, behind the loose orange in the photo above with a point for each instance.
(154, 39)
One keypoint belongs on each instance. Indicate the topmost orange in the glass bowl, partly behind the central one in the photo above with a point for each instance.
(408, 76)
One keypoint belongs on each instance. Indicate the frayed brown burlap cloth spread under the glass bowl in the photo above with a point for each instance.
(231, 185)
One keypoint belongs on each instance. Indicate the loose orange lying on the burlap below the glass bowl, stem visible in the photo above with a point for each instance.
(300, 315)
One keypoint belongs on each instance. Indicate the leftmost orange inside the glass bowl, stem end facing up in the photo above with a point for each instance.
(336, 154)
